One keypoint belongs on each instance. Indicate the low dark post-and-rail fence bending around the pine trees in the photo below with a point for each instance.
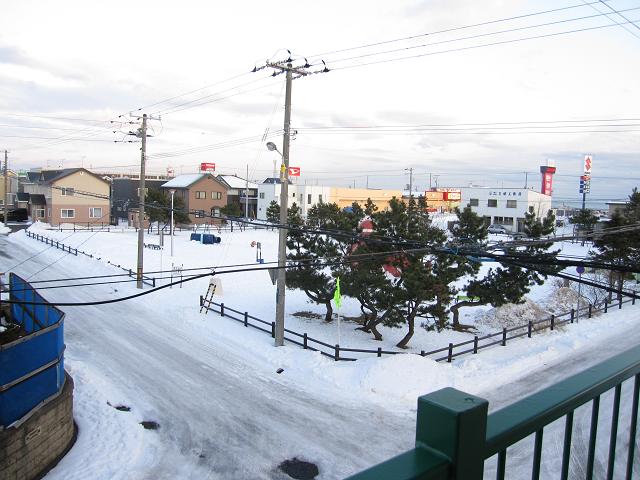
(448, 353)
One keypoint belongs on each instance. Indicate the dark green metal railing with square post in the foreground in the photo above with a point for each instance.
(455, 435)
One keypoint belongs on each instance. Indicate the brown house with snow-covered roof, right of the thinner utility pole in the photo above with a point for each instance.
(202, 193)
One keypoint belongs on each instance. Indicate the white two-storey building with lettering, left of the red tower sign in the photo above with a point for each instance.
(505, 206)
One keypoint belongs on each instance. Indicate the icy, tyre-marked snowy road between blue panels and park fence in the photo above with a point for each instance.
(218, 416)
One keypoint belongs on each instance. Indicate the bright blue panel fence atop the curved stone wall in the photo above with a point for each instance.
(33, 364)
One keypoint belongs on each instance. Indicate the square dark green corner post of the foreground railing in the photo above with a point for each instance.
(454, 424)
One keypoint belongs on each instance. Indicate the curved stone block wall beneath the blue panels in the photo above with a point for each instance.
(30, 450)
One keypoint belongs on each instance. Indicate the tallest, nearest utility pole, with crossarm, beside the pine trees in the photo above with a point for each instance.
(287, 68)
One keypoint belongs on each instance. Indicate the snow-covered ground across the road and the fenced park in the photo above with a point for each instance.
(212, 384)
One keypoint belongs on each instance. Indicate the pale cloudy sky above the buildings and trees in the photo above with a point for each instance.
(455, 101)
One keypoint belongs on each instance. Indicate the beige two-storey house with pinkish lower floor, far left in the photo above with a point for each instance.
(71, 195)
